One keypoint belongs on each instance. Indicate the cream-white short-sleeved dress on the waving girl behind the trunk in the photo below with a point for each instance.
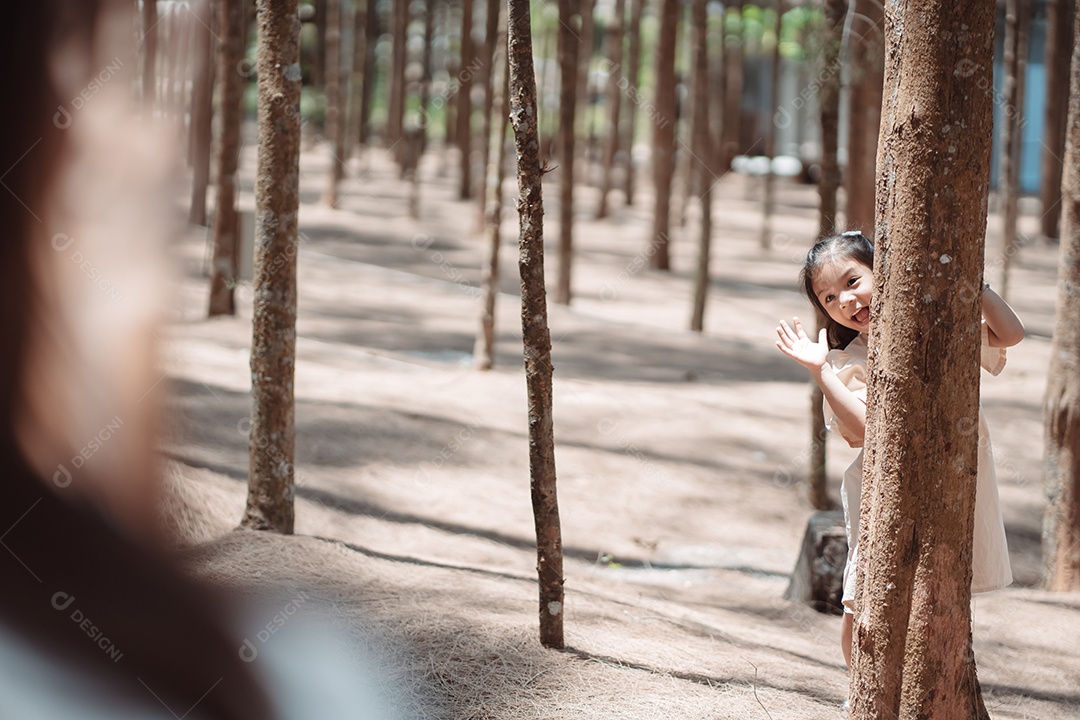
(991, 569)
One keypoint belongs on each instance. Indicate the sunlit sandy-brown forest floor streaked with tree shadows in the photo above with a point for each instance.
(680, 458)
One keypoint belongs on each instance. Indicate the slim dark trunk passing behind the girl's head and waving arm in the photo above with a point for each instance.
(828, 186)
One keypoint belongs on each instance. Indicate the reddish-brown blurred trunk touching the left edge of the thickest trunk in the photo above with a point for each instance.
(868, 70)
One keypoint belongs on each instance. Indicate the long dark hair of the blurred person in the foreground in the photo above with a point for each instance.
(75, 586)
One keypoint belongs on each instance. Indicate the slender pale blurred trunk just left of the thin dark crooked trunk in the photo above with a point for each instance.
(484, 352)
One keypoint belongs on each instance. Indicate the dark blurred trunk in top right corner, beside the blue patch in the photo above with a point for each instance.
(1059, 50)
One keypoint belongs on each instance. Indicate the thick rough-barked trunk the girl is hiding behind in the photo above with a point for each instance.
(912, 655)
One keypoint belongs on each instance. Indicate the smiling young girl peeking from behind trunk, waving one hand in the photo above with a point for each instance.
(839, 278)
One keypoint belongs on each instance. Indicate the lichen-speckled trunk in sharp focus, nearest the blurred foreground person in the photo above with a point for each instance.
(277, 203)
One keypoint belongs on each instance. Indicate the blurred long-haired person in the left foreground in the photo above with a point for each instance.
(97, 619)
